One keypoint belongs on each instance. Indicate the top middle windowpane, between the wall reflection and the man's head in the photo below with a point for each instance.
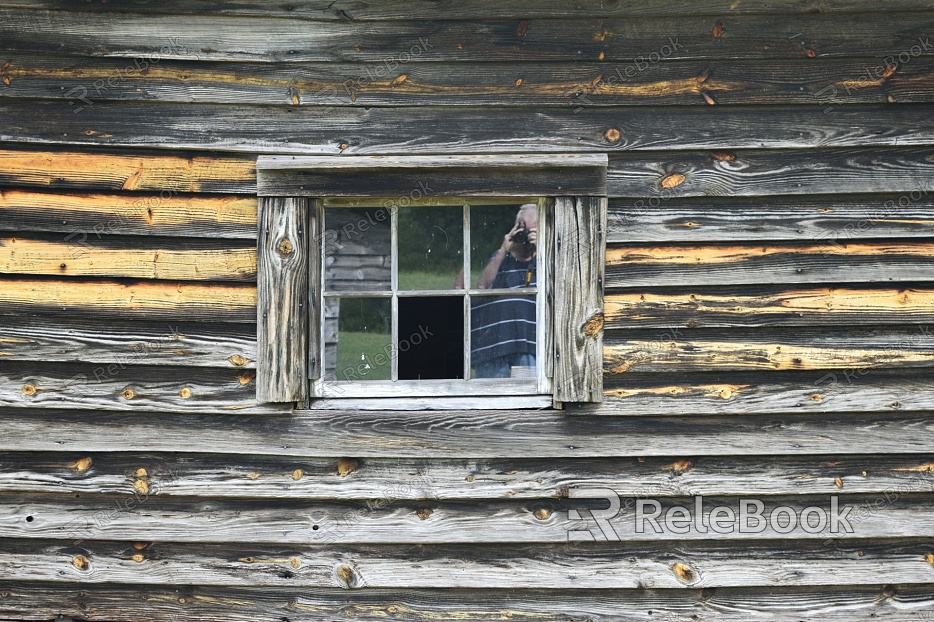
(431, 247)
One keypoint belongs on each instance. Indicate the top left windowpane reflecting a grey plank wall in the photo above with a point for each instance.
(357, 249)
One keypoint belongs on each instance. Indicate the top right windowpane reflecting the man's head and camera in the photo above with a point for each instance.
(503, 245)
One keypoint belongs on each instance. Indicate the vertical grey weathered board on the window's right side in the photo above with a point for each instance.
(580, 245)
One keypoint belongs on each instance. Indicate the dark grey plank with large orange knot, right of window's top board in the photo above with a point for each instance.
(666, 175)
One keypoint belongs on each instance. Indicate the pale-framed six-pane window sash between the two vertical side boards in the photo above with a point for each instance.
(403, 268)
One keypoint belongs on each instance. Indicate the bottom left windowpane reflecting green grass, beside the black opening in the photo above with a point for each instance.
(363, 327)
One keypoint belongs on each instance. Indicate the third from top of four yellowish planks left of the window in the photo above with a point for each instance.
(84, 255)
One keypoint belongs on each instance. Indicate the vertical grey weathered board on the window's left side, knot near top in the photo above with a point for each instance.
(282, 299)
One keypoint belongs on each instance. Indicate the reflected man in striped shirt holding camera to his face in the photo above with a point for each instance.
(503, 327)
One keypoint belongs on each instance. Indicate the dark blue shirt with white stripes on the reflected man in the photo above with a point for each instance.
(504, 325)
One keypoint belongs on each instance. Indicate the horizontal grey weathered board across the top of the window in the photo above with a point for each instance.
(417, 177)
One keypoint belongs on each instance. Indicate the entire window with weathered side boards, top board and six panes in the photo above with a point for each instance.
(431, 277)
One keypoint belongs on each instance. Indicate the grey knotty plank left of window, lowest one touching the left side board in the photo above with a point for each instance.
(128, 385)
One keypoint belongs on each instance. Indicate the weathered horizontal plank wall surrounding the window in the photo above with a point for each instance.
(768, 303)
